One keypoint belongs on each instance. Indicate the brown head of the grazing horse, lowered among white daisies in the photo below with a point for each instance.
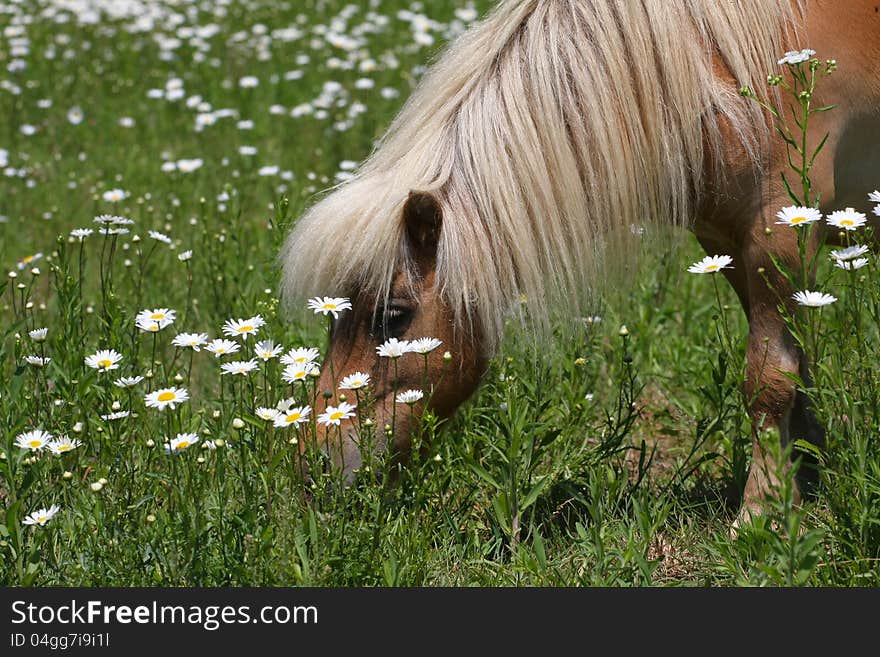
(406, 344)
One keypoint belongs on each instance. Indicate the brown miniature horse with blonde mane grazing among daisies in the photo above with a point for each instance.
(531, 147)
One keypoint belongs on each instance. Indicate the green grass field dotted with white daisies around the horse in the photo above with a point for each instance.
(590, 458)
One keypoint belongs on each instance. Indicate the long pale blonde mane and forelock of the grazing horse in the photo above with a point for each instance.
(546, 132)
